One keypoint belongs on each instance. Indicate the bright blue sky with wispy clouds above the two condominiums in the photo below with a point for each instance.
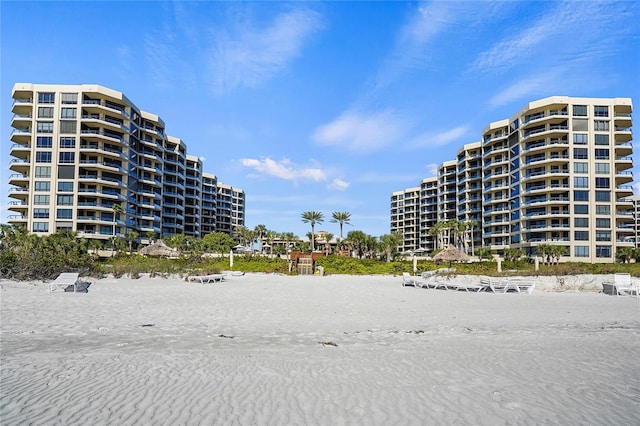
(326, 106)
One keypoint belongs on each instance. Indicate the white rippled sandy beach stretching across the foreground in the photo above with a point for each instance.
(259, 350)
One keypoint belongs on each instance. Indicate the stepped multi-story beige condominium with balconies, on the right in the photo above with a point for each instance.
(557, 172)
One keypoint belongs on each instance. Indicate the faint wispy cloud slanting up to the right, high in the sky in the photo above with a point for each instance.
(246, 55)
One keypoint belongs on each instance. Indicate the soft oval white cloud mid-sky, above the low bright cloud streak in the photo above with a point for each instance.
(362, 133)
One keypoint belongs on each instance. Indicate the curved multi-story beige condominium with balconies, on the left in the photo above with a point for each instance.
(85, 158)
